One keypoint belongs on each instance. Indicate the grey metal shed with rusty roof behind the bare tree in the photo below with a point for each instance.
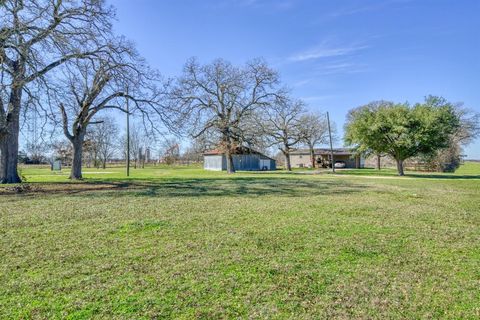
(244, 159)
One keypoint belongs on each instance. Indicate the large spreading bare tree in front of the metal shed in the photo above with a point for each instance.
(219, 98)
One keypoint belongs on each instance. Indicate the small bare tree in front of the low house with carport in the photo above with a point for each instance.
(314, 131)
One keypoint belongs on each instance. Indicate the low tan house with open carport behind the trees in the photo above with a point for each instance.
(300, 158)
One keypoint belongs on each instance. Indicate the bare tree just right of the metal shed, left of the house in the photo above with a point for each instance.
(282, 125)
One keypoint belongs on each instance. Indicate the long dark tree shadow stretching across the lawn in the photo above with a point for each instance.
(200, 187)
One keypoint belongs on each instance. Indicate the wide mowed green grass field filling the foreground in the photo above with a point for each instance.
(186, 243)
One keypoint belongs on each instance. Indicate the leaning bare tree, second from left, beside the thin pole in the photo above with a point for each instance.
(95, 85)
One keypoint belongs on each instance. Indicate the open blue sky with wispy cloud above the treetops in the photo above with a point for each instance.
(336, 55)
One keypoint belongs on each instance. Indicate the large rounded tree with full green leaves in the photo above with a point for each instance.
(400, 130)
